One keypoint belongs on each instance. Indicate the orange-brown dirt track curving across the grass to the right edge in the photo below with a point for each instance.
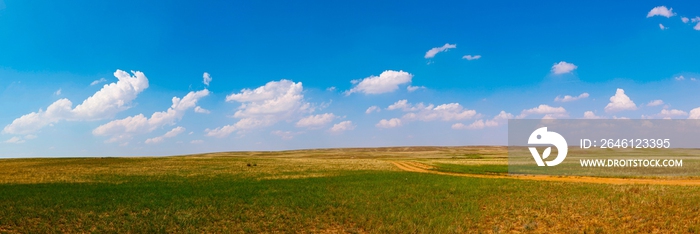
(423, 168)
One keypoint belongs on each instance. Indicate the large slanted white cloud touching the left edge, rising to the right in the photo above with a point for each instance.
(105, 103)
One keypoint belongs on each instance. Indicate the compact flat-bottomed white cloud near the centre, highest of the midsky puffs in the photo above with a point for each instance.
(386, 82)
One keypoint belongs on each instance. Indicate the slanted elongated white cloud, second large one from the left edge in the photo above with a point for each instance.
(123, 129)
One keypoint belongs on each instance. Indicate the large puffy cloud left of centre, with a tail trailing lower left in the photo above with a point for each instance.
(264, 106)
